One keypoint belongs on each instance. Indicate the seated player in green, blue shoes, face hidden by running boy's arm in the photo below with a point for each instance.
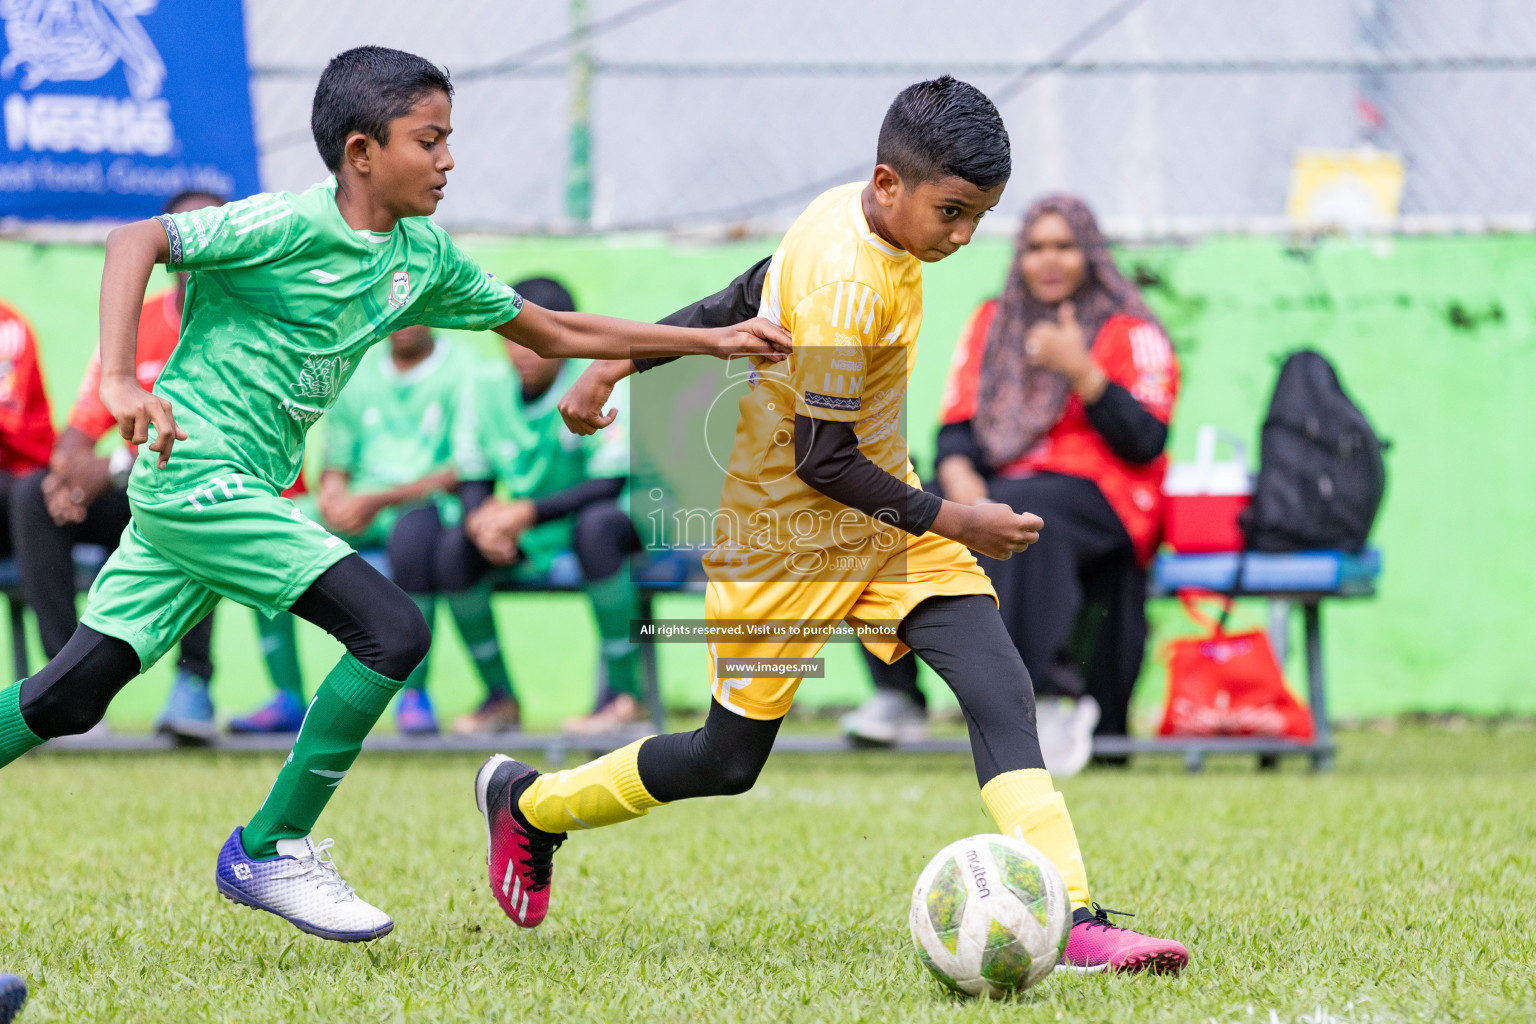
(388, 454)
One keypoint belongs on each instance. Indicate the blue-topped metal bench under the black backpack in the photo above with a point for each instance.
(1306, 580)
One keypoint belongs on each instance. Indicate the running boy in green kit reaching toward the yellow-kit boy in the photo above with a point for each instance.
(286, 296)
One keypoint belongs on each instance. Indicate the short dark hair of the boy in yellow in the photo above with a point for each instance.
(941, 130)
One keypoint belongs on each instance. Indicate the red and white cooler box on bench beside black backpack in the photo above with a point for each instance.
(1203, 498)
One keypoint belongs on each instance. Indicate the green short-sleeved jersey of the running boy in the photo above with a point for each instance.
(285, 299)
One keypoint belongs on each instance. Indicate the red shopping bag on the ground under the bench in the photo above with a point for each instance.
(1228, 684)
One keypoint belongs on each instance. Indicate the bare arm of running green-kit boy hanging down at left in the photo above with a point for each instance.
(131, 254)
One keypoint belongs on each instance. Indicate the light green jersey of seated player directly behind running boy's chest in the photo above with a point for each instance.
(394, 428)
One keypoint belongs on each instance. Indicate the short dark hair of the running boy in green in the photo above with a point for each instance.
(366, 88)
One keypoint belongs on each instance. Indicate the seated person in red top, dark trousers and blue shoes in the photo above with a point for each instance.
(79, 501)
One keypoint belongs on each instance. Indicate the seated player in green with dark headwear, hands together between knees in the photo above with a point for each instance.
(557, 492)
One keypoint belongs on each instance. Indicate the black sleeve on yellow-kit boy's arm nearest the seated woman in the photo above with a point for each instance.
(829, 458)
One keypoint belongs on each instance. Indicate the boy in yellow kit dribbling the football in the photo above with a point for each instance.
(823, 520)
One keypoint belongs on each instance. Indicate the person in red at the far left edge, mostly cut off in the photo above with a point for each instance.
(27, 428)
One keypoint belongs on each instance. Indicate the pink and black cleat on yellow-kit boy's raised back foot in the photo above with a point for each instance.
(518, 857)
